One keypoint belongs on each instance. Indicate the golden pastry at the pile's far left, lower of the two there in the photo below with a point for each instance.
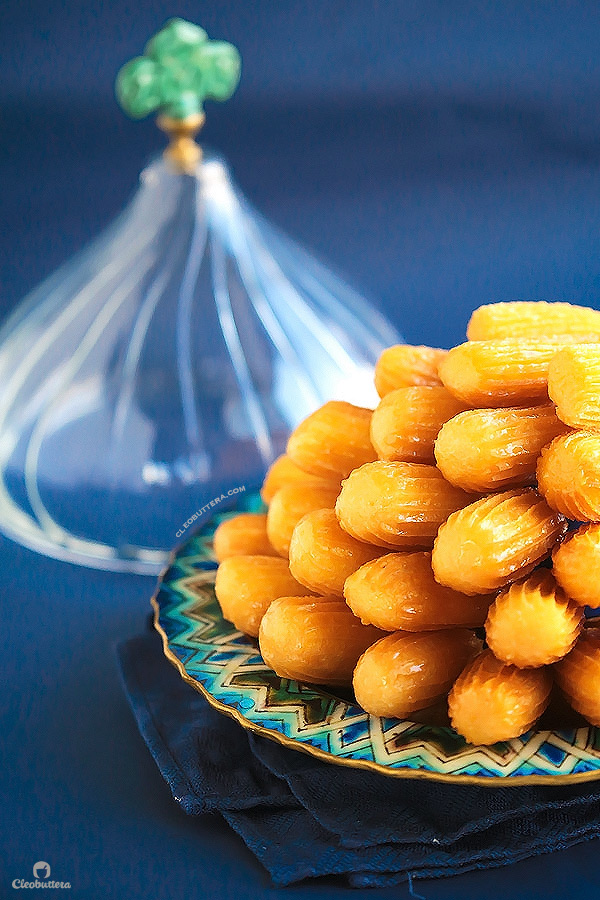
(247, 585)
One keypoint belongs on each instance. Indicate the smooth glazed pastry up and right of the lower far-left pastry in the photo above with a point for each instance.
(322, 555)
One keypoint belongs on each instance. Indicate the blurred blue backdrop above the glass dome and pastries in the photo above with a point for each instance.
(441, 155)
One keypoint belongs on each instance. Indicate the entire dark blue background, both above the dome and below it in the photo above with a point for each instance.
(441, 155)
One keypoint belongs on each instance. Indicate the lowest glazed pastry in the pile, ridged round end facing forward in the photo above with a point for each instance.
(492, 701)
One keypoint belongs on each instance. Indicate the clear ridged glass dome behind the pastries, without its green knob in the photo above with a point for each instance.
(166, 365)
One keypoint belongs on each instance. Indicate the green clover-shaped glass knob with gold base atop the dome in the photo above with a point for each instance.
(180, 69)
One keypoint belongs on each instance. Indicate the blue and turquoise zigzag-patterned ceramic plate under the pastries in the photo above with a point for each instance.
(225, 665)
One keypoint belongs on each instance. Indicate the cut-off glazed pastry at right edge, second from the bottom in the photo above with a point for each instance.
(576, 565)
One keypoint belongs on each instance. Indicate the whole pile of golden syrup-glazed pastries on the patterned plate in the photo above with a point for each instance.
(445, 544)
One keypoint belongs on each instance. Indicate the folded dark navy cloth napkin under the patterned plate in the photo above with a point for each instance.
(302, 817)
